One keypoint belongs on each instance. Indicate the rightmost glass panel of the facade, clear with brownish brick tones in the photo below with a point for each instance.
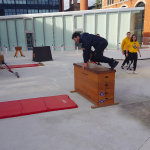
(137, 24)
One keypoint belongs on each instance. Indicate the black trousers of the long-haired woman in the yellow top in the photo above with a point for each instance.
(133, 59)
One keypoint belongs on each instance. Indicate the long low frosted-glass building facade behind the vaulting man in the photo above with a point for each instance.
(55, 29)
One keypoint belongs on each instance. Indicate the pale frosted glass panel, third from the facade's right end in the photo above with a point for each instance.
(112, 23)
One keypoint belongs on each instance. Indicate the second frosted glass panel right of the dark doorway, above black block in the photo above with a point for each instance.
(48, 29)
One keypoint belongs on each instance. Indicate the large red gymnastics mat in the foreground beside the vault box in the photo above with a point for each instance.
(35, 105)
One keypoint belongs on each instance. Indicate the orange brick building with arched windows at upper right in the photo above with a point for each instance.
(134, 3)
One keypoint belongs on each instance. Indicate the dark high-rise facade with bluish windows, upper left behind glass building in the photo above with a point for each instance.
(15, 7)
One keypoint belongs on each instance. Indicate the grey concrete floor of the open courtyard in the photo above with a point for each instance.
(122, 127)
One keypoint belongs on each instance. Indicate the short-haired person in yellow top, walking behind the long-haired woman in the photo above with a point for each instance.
(124, 47)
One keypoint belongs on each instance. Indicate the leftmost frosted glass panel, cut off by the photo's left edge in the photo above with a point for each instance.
(3, 34)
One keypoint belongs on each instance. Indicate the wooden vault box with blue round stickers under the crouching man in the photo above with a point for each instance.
(95, 83)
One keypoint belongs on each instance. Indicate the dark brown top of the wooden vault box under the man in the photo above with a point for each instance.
(95, 68)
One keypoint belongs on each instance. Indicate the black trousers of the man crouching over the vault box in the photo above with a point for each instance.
(98, 54)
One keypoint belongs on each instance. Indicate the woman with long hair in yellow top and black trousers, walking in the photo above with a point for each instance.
(133, 48)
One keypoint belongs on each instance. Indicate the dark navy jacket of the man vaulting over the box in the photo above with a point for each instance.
(89, 40)
